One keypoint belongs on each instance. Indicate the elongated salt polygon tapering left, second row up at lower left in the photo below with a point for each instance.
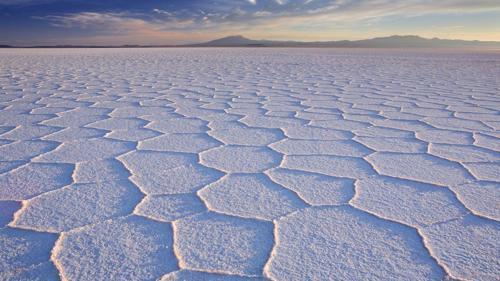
(78, 205)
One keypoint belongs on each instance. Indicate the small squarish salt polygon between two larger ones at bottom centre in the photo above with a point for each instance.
(224, 244)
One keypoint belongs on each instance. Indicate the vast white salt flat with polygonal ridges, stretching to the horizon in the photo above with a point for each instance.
(249, 164)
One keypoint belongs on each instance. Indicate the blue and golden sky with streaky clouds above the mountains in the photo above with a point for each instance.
(118, 22)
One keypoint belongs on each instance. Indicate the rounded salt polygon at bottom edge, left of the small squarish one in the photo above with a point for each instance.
(129, 248)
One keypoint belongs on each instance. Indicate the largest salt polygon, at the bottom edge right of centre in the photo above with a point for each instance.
(343, 243)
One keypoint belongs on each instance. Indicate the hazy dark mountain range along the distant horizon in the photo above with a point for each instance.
(395, 41)
